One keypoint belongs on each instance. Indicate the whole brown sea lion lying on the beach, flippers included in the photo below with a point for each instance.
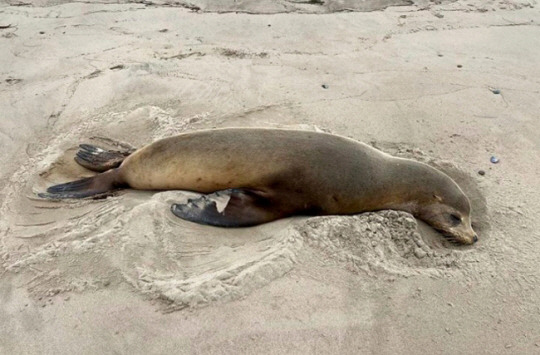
(253, 176)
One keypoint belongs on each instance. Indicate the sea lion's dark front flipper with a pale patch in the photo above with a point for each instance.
(229, 208)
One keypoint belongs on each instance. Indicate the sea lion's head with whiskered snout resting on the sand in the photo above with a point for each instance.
(449, 212)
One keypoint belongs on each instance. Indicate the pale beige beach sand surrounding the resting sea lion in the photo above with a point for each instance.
(447, 83)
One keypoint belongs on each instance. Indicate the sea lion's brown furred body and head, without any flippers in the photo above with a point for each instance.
(306, 172)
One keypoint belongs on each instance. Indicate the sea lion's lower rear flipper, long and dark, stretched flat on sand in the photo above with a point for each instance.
(91, 186)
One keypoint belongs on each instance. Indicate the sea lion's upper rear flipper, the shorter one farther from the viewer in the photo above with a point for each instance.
(99, 159)
